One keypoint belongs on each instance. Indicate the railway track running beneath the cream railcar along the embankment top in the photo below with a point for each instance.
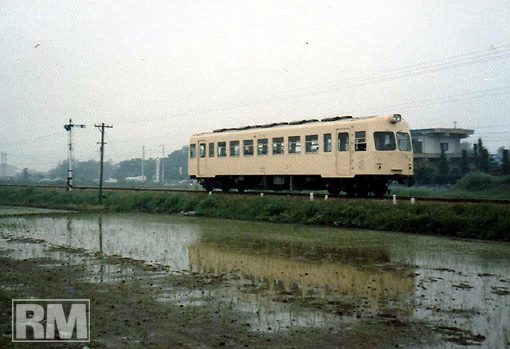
(280, 194)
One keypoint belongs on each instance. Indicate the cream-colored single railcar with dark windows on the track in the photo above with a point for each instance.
(355, 155)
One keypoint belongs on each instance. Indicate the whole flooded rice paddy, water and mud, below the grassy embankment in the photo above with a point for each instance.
(249, 284)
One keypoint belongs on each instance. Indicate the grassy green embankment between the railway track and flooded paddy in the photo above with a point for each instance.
(465, 220)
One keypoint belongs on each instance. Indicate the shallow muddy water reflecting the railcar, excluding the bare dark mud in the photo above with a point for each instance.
(285, 277)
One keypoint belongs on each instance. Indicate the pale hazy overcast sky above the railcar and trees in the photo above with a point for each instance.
(159, 71)
